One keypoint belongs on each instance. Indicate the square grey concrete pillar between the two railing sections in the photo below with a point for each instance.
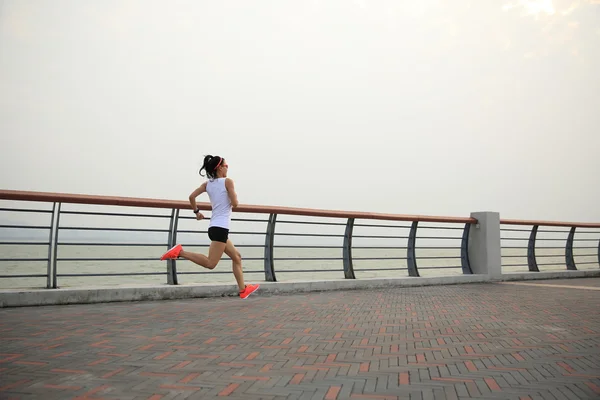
(484, 244)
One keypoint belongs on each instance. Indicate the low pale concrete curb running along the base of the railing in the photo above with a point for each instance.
(88, 295)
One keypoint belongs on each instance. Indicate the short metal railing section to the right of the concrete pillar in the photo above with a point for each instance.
(541, 249)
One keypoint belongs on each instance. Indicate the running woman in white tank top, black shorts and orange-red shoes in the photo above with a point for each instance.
(223, 199)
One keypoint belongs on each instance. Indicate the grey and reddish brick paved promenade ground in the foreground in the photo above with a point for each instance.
(499, 341)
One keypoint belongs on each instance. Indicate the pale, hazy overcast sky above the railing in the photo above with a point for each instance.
(410, 107)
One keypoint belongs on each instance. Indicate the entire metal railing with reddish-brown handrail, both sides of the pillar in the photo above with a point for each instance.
(342, 234)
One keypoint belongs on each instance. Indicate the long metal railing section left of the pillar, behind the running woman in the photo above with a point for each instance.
(343, 224)
